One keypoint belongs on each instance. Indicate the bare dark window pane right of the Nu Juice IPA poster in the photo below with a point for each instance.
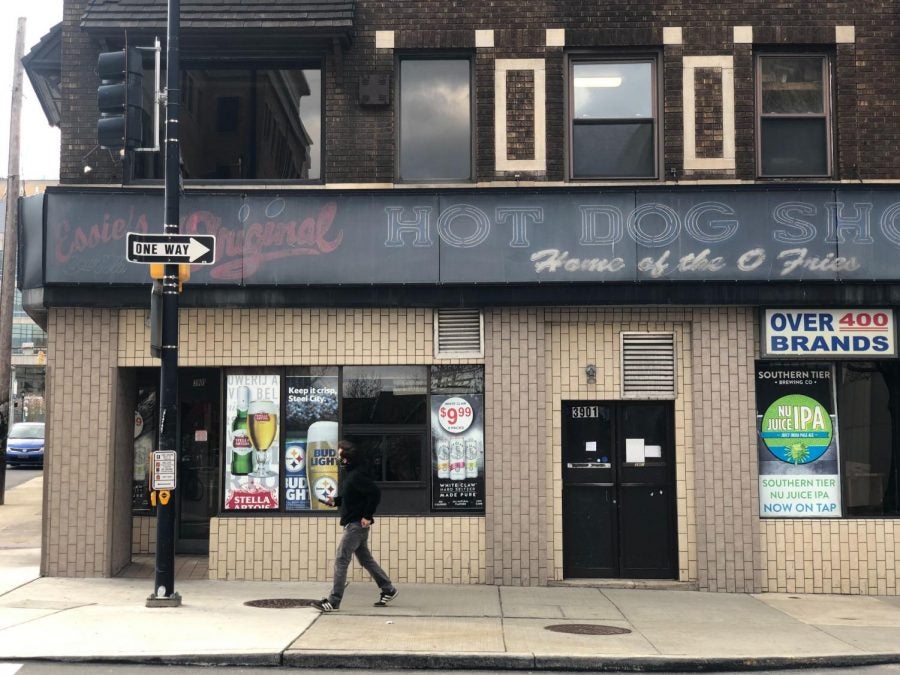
(868, 397)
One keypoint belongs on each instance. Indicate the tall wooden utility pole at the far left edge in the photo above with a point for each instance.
(10, 244)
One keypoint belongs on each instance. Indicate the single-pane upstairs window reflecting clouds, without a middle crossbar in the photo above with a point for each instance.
(435, 120)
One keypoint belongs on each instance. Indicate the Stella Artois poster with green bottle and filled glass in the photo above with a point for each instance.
(253, 457)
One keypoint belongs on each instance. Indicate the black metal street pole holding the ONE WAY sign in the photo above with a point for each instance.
(164, 594)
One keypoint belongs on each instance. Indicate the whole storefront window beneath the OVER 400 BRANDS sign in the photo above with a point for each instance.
(829, 438)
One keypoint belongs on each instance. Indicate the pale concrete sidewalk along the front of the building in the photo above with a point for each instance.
(433, 626)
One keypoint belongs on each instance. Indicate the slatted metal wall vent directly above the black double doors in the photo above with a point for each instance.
(648, 365)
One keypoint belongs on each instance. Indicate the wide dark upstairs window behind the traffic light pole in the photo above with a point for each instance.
(247, 122)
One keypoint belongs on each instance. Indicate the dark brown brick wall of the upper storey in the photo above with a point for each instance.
(359, 144)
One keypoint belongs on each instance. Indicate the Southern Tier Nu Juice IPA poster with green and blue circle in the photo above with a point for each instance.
(797, 442)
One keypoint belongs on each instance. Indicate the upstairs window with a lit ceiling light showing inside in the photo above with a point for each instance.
(614, 132)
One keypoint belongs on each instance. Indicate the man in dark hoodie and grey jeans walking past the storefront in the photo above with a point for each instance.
(358, 499)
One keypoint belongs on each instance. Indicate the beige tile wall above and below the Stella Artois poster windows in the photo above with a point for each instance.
(448, 550)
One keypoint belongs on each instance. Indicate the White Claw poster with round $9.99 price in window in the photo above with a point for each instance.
(457, 452)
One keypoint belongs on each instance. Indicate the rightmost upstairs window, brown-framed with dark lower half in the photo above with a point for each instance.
(794, 121)
